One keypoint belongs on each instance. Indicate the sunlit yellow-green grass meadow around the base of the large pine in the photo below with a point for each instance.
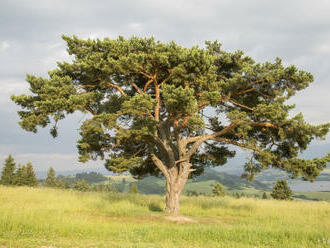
(36, 217)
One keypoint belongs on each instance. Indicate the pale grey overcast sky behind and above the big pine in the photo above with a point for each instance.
(298, 31)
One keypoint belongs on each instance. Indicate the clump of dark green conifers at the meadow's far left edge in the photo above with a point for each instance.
(22, 176)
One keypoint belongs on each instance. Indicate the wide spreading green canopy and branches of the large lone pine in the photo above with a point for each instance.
(162, 109)
